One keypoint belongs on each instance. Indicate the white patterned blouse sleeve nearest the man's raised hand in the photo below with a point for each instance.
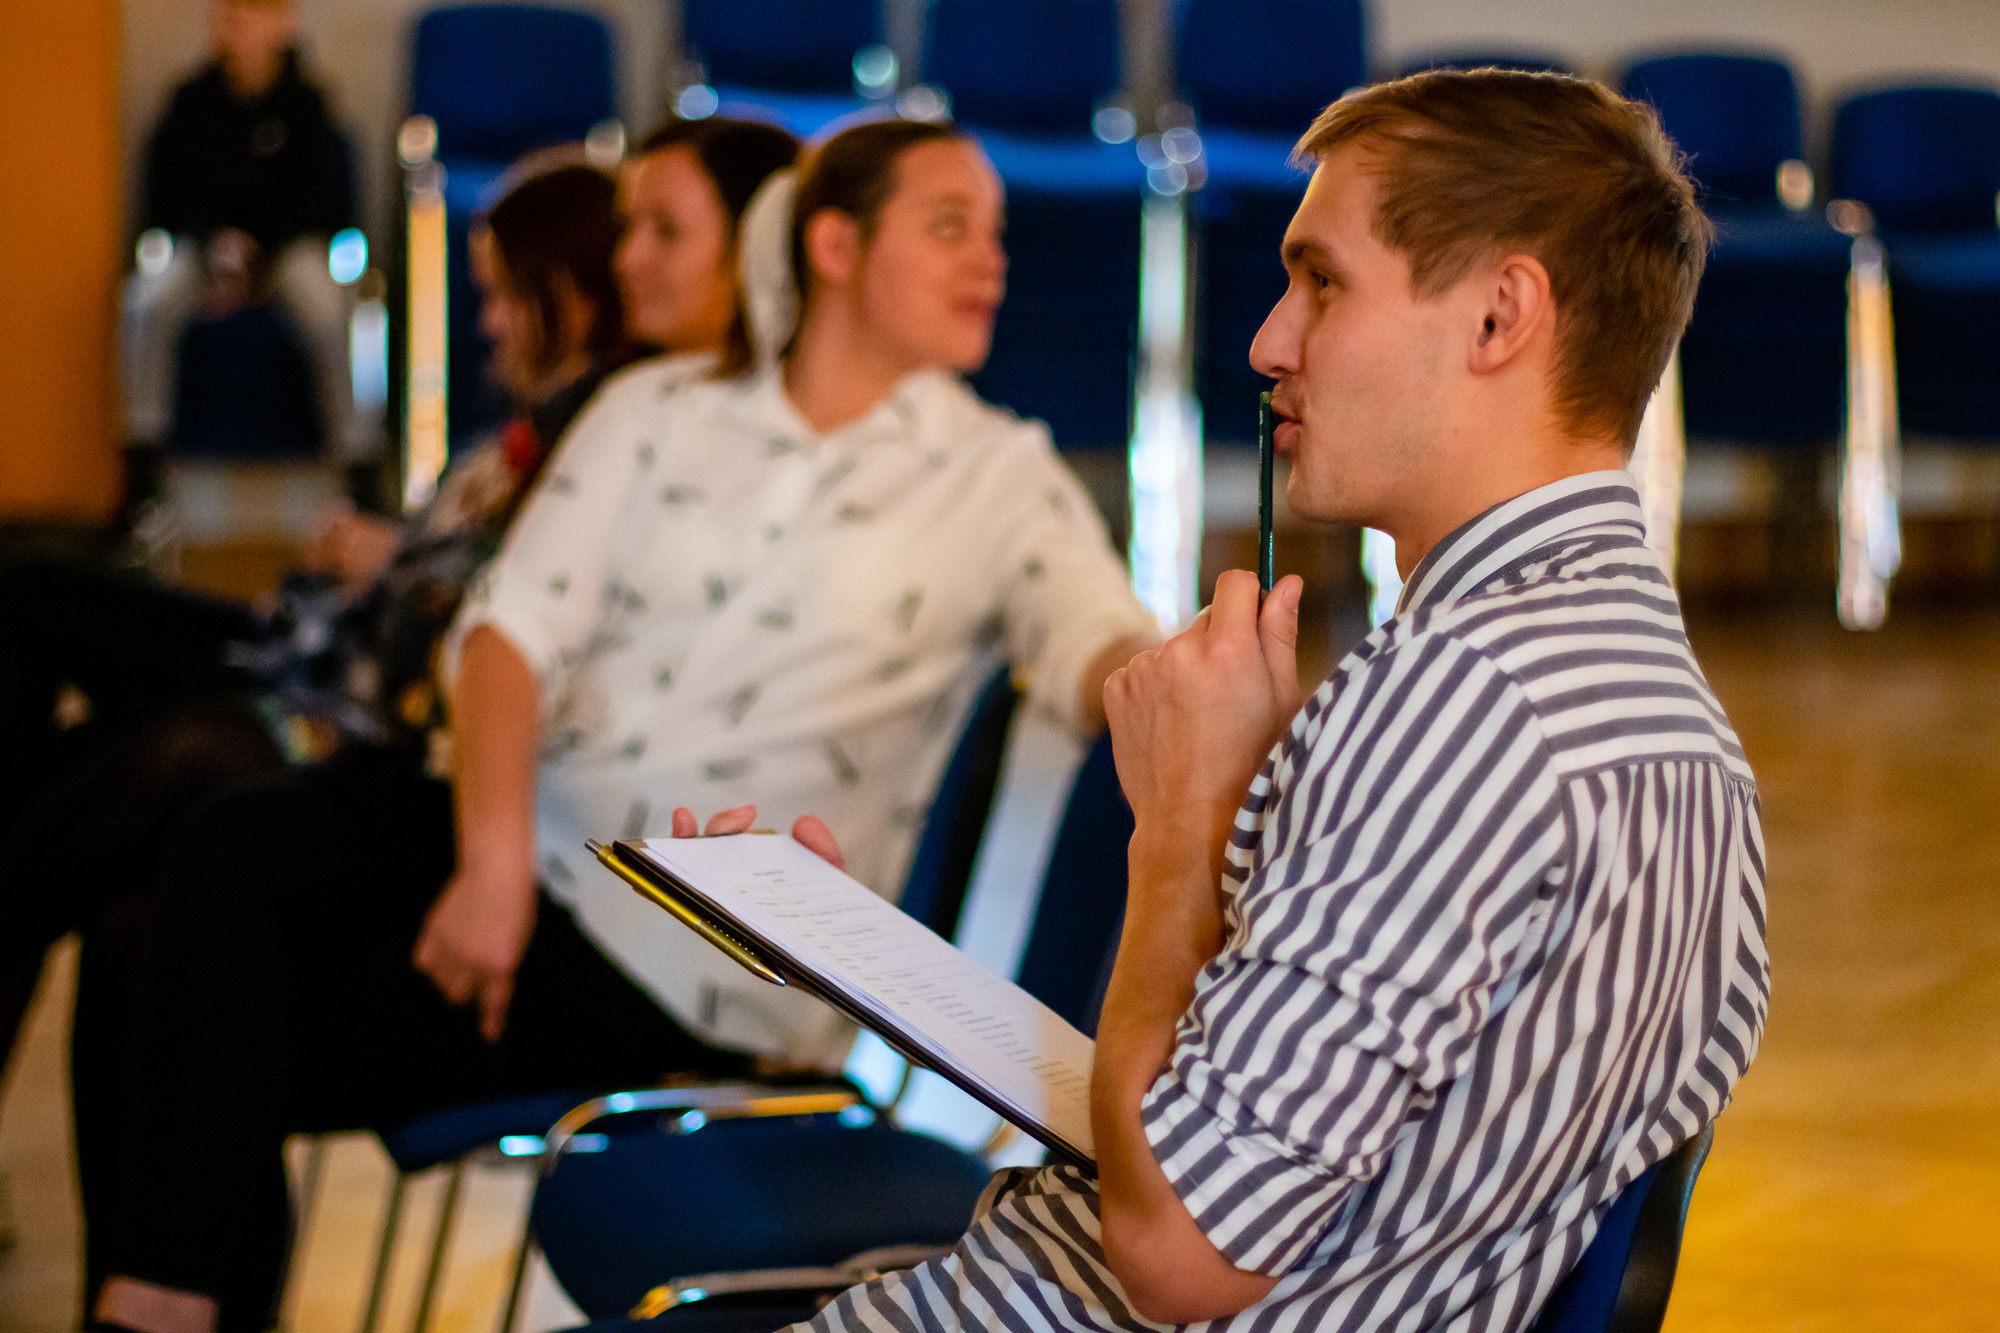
(1065, 591)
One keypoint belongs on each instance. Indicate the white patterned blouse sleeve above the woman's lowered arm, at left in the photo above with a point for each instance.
(543, 591)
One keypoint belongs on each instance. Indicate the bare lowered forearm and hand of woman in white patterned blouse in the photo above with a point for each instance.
(479, 928)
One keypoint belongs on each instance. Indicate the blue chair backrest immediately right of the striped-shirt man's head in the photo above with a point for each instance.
(1737, 117)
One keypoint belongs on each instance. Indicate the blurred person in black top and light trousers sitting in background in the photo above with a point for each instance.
(247, 179)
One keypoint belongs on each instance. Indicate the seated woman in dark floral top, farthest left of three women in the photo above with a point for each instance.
(127, 704)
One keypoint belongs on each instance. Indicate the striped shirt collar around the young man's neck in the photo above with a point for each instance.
(1509, 533)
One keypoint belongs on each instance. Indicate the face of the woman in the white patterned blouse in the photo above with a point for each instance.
(935, 271)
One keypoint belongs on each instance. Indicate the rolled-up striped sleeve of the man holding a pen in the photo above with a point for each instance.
(1399, 876)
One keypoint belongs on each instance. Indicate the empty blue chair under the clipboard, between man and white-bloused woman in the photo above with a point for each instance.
(615, 1204)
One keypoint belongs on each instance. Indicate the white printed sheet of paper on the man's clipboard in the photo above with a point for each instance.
(895, 970)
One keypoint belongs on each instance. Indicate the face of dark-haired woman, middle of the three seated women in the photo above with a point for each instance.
(677, 261)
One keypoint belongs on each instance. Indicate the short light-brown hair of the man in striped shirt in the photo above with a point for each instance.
(1477, 163)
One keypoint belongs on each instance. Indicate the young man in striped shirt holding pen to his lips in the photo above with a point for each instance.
(1485, 940)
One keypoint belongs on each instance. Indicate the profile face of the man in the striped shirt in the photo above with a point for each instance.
(1363, 365)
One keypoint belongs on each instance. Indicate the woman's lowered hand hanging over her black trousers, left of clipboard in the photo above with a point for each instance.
(475, 938)
